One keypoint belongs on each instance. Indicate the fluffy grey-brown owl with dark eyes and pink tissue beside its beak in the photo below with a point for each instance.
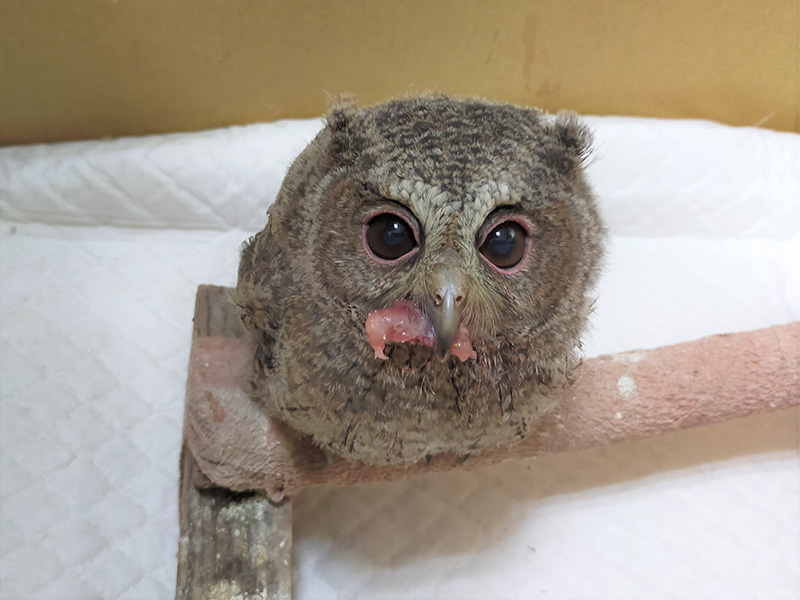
(423, 280)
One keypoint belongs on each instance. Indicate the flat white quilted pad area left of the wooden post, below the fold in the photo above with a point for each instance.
(94, 352)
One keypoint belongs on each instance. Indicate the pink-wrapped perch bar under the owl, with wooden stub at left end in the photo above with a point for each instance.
(618, 397)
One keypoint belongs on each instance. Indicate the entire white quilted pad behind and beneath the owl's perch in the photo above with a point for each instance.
(102, 247)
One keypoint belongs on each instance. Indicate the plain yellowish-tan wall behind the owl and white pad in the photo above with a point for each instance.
(74, 69)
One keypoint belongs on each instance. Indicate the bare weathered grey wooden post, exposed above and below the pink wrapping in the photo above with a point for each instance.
(232, 545)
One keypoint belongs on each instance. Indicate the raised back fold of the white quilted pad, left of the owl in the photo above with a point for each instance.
(221, 179)
